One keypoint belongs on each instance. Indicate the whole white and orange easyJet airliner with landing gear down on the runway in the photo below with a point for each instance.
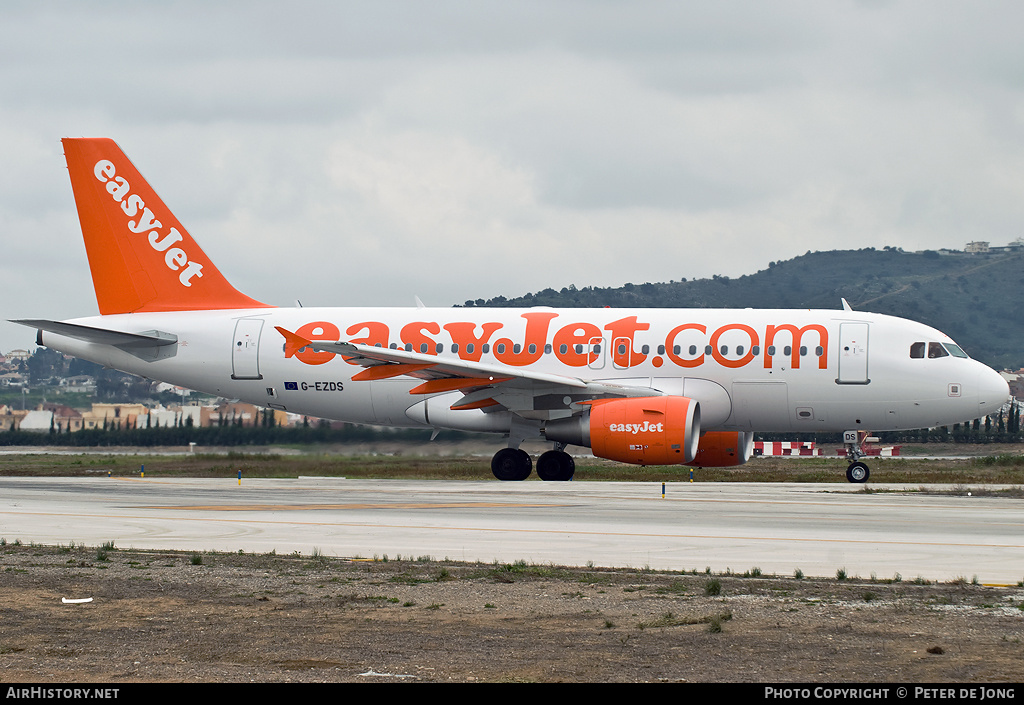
(649, 387)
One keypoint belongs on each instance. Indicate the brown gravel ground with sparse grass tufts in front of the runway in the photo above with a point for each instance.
(161, 616)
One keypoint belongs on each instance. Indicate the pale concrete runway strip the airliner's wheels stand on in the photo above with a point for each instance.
(778, 528)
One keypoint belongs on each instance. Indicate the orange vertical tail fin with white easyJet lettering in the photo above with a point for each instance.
(143, 260)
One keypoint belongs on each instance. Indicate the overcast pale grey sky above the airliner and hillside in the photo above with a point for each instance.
(363, 153)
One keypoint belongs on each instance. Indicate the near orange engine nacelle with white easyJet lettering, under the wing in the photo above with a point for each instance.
(645, 431)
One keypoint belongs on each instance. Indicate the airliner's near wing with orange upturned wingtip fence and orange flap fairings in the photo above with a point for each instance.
(484, 386)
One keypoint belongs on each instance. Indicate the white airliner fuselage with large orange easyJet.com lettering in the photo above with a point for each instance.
(762, 370)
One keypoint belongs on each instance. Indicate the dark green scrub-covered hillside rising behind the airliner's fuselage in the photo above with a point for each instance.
(977, 300)
